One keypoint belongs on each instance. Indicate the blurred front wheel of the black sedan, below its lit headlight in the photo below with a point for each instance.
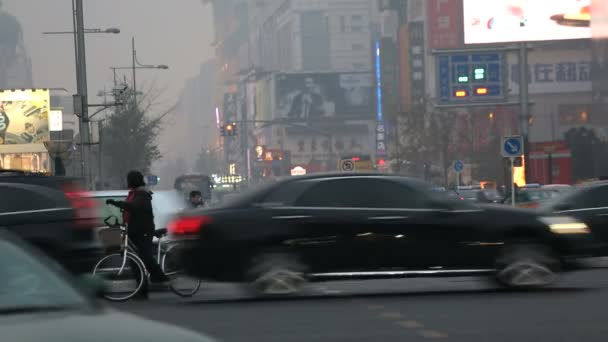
(527, 266)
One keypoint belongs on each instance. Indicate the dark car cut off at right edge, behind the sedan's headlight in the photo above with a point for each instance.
(588, 203)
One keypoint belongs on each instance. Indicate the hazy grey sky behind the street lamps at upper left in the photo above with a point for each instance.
(173, 32)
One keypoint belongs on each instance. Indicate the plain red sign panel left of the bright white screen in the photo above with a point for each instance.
(445, 24)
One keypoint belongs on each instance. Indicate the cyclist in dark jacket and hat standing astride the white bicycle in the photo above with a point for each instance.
(139, 217)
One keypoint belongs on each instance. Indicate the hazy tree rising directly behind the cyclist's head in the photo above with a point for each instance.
(130, 138)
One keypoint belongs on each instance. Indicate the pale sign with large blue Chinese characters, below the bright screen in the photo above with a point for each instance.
(549, 72)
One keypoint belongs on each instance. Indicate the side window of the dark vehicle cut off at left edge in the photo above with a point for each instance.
(16, 199)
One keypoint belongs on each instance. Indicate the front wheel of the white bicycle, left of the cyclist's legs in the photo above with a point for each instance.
(122, 279)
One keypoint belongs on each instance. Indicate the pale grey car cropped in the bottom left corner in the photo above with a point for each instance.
(41, 302)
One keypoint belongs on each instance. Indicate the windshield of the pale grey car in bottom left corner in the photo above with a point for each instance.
(25, 283)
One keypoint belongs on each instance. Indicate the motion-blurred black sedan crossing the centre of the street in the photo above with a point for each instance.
(357, 226)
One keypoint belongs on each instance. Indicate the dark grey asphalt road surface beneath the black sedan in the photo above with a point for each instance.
(454, 309)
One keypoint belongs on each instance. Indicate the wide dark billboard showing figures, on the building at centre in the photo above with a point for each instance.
(309, 97)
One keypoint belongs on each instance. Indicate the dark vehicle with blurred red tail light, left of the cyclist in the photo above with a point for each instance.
(52, 213)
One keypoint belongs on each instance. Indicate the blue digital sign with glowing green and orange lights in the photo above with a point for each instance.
(471, 78)
